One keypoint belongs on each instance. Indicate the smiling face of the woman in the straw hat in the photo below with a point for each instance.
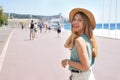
(77, 24)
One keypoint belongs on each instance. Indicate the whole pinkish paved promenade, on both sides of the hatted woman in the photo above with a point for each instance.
(40, 59)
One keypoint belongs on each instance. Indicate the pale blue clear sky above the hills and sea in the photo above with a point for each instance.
(102, 12)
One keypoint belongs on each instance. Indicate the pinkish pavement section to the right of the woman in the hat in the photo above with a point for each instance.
(107, 65)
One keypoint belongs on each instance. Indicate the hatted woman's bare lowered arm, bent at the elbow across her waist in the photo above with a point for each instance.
(84, 63)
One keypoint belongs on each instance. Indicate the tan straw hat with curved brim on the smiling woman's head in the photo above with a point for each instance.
(86, 12)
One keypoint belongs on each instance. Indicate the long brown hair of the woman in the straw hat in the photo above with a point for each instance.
(89, 33)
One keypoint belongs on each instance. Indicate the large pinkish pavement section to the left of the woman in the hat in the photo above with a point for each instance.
(34, 60)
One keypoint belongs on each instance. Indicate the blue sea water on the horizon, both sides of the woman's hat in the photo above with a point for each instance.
(111, 26)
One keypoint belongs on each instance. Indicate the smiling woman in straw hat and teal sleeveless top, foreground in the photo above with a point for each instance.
(82, 44)
